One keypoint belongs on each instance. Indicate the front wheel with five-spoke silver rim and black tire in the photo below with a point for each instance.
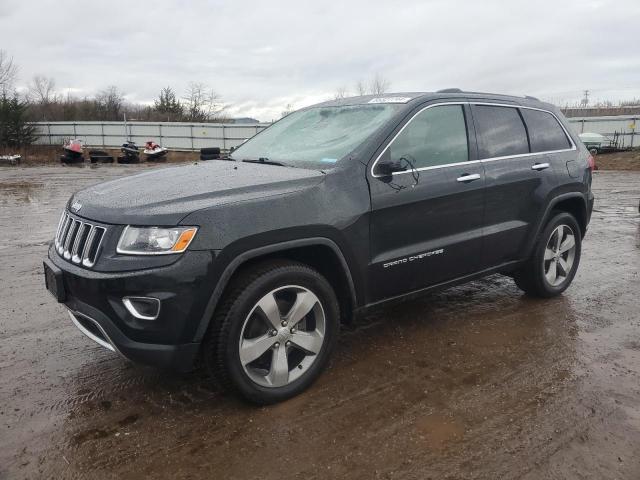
(274, 332)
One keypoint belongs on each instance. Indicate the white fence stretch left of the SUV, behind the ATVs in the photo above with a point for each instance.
(174, 135)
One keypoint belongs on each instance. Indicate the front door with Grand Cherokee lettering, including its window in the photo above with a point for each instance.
(426, 223)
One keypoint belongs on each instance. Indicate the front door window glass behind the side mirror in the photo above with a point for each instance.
(436, 136)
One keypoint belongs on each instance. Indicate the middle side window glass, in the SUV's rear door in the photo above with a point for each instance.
(500, 131)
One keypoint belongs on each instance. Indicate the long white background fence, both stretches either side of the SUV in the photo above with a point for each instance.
(194, 136)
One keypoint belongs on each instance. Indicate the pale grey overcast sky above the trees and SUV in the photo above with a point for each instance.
(260, 56)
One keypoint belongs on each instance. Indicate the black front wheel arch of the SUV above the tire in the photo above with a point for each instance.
(318, 252)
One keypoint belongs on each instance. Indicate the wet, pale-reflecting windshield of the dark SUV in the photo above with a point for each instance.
(316, 137)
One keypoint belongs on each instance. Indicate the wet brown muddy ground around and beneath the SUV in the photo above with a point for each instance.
(475, 382)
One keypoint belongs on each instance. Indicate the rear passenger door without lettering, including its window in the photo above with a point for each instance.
(518, 181)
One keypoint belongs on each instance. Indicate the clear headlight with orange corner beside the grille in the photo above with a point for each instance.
(155, 240)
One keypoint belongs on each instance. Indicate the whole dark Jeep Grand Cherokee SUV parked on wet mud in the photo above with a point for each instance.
(252, 264)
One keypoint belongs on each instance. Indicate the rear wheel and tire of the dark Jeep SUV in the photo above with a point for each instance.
(555, 259)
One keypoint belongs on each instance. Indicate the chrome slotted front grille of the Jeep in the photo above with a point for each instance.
(78, 240)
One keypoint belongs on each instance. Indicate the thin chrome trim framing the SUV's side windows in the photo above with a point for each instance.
(471, 162)
